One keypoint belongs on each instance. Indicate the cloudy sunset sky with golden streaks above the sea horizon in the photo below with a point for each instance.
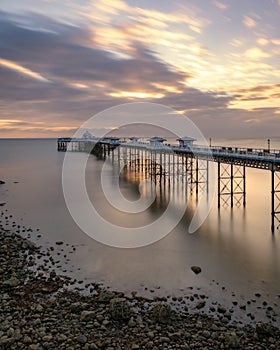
(216, 61)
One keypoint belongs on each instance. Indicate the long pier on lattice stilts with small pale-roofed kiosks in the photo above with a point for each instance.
(190, 161)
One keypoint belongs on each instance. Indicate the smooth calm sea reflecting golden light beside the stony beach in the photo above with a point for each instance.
(234, 247)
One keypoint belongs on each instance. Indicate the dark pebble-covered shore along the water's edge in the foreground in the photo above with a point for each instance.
(40, 312)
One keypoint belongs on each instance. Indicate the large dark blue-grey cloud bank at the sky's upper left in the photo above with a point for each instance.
(67, 62)
